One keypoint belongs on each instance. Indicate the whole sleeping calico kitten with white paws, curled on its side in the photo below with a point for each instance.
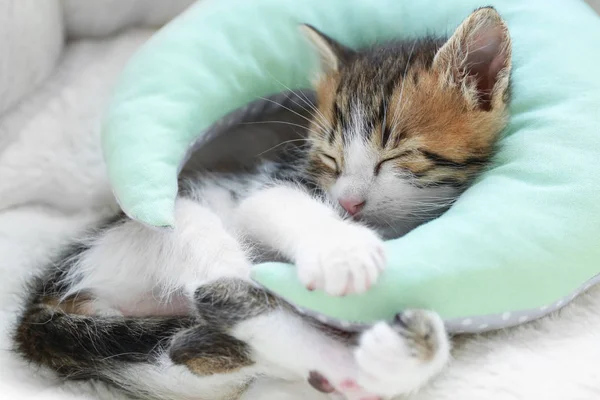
(400, 131)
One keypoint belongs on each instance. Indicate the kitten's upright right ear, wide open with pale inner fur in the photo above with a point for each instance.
(477, 58)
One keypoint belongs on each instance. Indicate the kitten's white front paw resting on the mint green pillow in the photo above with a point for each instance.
(346, 259)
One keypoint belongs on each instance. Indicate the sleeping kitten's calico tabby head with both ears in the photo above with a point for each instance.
(401, 129)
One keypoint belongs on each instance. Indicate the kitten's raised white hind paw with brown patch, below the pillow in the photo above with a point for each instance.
(401, 357)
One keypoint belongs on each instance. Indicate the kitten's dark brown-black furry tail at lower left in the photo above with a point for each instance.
(81, 346)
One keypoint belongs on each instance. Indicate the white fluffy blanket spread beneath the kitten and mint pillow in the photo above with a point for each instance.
(52, 183)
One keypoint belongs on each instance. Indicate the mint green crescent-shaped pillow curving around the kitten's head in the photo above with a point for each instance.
(521, 242)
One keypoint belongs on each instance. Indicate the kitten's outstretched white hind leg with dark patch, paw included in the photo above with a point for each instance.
(389, 359)
